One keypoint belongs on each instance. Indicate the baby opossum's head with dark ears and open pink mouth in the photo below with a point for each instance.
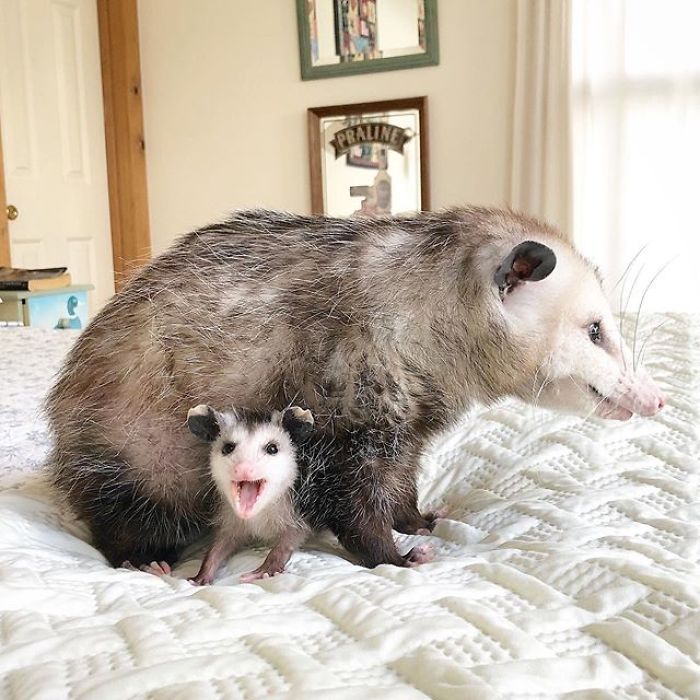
(253, 461)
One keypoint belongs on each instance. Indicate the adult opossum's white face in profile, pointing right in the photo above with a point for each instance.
(584, 366)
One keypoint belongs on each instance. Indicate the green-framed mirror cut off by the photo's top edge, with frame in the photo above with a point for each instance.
(343, 37)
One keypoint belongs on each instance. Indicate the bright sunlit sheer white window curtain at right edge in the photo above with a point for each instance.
(635, 136)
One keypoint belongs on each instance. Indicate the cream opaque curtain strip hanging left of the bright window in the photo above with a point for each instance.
(541, 171)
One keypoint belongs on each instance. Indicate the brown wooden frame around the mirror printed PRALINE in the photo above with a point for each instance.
(315, 115)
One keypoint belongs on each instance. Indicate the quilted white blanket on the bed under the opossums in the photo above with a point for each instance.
(568, 567)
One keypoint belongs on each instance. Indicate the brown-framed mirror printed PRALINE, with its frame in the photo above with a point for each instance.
(369, 159)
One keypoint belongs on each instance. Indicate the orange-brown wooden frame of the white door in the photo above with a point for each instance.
(118, 32)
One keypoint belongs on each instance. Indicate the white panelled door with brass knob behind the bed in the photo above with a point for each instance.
(53, 139)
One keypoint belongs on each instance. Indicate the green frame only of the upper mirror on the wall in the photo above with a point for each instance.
(430, 57)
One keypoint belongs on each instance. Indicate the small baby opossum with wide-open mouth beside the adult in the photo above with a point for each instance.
(253, 463)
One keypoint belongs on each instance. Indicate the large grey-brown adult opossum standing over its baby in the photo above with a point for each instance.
(386, 329)
